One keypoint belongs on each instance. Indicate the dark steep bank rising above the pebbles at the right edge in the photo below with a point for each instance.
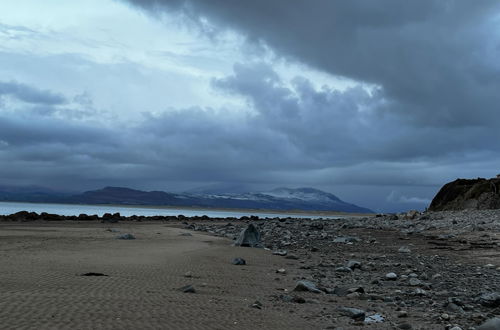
(462, 194)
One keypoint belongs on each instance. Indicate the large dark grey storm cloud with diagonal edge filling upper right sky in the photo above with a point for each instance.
(436, 61)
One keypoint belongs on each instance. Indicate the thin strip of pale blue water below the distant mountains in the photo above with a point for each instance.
(76, 209)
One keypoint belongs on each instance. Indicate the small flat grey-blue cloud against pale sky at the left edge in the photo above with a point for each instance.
(30, 94)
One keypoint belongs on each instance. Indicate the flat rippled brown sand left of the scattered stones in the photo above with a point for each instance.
(41, 286)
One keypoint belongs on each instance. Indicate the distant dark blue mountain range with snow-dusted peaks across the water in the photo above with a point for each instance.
(282, 199)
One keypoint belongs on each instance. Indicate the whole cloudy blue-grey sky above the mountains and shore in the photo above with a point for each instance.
(379, 102)
